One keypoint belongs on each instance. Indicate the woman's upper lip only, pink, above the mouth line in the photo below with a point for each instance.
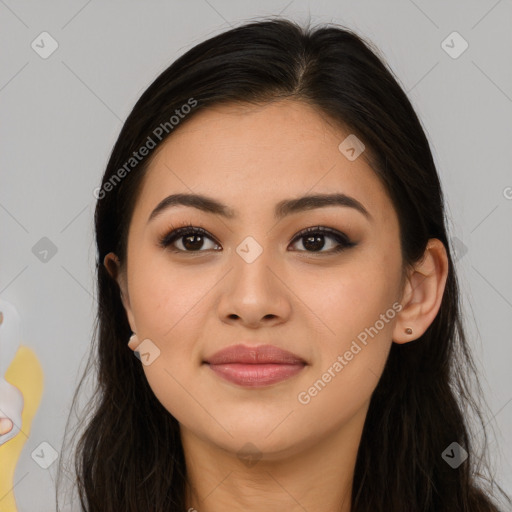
(260, 354)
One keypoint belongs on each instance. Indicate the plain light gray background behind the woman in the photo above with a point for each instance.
(61, 116)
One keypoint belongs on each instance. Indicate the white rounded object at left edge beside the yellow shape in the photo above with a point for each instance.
(11, 399)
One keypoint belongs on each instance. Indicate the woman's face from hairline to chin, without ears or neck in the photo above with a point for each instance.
(251, 279)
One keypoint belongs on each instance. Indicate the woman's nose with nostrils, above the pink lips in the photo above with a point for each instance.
(255, 294)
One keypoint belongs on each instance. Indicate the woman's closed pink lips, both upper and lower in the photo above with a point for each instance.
(255, 366)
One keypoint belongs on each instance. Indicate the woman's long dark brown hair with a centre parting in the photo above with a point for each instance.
(129, 456)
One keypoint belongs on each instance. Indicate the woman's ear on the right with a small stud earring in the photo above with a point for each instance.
(423, 293)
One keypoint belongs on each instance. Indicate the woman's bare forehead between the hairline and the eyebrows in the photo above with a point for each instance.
(253, 156)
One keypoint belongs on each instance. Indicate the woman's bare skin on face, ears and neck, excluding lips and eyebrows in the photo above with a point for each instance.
(311, 302)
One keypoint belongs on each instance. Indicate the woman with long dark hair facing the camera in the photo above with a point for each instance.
(272, 248)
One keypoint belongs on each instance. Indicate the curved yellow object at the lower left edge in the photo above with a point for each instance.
(25, 372)
